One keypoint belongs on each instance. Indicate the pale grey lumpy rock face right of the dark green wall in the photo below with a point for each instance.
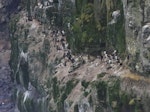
(137, 34)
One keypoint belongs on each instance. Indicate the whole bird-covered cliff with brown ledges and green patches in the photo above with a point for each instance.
(58, 62)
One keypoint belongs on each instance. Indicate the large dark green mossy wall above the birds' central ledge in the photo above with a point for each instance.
(90, 32)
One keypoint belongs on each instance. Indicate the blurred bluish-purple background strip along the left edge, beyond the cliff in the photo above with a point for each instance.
(7, 103)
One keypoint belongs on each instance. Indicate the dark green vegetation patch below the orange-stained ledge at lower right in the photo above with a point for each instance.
(110, 96)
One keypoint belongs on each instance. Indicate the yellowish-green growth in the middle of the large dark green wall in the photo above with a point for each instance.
(85, 36)
